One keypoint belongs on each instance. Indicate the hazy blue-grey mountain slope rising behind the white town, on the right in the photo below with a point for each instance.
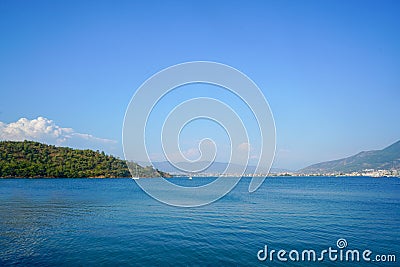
(385, 159)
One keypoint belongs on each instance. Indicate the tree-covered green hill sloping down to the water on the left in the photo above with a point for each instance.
(33, 159)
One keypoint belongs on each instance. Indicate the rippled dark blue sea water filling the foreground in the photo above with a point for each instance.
(68, 222)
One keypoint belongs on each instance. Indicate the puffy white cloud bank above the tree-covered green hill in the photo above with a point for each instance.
(47, 131)
